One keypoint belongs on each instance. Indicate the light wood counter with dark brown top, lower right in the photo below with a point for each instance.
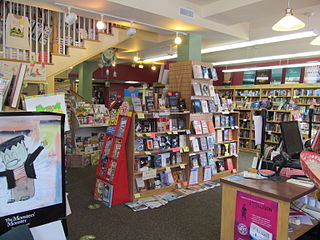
(281, 195)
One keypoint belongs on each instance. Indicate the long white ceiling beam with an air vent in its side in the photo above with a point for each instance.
(170, 9)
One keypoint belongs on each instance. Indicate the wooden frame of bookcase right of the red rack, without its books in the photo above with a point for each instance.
(133, 154)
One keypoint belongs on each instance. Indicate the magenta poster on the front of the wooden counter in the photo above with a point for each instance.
(255, 218)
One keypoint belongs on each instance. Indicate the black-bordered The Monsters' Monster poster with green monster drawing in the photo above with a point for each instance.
(31, 169)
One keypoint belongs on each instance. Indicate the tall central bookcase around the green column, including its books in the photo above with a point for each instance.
(214, 144)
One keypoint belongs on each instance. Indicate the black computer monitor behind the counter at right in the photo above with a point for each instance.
(292, 141)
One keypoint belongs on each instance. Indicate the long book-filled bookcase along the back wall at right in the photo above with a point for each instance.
(284, 102)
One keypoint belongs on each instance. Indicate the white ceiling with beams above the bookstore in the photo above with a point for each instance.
(219, 22)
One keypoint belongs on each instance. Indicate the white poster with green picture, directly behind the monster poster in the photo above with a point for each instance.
(48, 103)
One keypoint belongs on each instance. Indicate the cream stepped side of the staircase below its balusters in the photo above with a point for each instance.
(76, 55)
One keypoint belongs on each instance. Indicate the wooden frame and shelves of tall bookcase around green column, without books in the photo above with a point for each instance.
(181, 79)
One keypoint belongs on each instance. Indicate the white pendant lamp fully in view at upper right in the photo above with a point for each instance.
(288, 22)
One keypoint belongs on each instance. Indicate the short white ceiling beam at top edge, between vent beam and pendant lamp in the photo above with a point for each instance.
(222, 6)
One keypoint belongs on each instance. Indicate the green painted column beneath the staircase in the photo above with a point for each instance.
(85, 80)
